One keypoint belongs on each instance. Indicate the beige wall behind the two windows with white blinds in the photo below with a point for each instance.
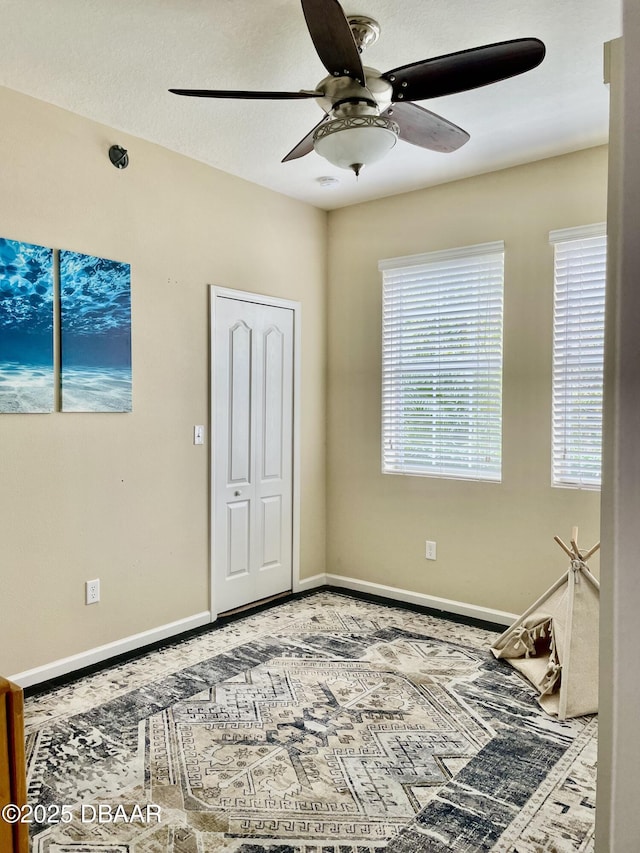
(495, 541)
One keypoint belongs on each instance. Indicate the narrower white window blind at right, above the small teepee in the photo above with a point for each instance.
(578, 354)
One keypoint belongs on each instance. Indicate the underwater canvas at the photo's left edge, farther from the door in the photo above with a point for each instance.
(26, 328)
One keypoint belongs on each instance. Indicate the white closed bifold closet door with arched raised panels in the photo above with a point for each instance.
(253, 453)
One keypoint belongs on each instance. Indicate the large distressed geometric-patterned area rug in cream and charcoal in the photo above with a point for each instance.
(326, 724)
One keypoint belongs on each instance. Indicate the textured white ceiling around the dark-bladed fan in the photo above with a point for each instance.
(113, 61)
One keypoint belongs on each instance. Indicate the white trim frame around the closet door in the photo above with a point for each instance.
(217, 293)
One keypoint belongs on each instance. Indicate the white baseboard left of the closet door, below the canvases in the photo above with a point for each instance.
(63, 666)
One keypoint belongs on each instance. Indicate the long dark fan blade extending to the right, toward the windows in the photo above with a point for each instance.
(466, 69)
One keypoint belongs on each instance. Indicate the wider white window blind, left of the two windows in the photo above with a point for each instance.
(442, 363)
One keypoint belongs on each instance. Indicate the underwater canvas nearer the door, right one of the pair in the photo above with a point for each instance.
(95, 334)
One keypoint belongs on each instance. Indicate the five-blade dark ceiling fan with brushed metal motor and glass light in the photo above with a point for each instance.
(367, 111)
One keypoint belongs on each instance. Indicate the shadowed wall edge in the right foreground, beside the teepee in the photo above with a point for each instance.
(617, 815)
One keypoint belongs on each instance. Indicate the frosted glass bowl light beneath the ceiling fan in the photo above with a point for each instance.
(352, 142)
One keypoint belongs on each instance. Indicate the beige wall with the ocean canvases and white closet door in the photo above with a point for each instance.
(123, 497)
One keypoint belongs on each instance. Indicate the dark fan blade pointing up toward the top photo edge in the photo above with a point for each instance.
(332, 37)
